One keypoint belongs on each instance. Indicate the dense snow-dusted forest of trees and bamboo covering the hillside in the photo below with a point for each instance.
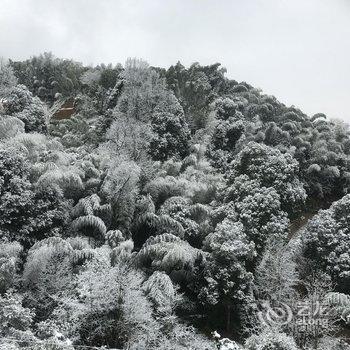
(165, 210)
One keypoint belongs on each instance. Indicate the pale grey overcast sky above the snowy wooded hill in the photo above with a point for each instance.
(297, 50)
